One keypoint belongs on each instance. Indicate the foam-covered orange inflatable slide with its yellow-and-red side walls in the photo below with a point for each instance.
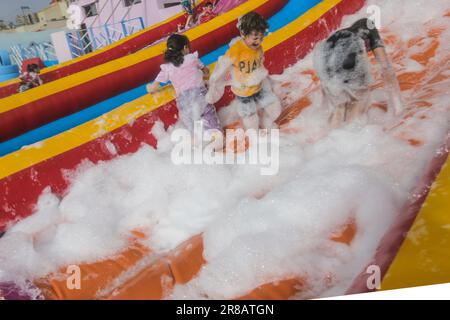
(104, 200)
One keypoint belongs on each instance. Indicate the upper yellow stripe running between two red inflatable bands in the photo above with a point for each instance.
(79, 78)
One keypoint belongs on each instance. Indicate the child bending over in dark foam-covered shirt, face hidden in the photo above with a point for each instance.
(343, 66)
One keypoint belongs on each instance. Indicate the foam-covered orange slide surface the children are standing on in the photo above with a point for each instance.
(306, 232)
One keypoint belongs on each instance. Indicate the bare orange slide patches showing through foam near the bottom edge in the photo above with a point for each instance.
(139, 274)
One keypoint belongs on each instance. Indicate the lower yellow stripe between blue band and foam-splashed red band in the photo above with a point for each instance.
(86, 132)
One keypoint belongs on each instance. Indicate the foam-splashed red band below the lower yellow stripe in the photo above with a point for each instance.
(20, 191)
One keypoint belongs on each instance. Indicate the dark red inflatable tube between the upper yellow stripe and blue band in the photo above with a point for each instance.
(52, 107)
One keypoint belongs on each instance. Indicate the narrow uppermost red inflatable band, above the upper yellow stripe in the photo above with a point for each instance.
(128, 47)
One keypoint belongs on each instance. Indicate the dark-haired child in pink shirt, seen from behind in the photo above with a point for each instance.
(186, 72)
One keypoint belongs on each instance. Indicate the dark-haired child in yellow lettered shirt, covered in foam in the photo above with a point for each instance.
(249, 78)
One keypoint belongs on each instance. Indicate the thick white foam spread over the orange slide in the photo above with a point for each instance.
(361, 171)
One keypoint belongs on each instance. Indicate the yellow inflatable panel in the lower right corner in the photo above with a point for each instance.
(424, 257)
